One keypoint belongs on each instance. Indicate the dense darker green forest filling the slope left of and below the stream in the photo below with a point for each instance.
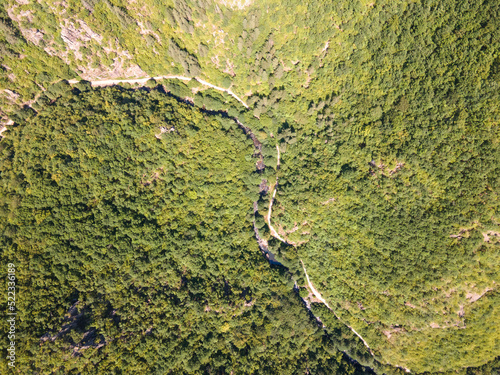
(133, 247)
